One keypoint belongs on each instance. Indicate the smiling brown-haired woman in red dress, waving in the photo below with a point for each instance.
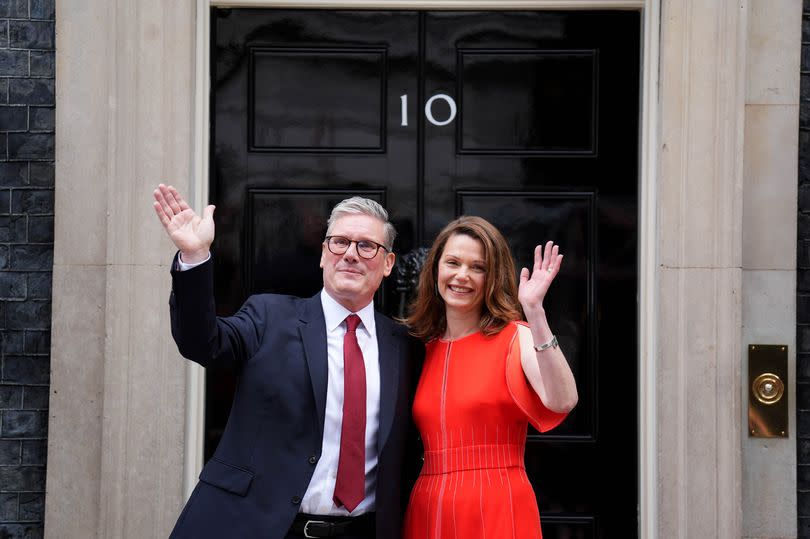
(486, 376)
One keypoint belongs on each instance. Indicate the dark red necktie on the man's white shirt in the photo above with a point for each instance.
(350, 484)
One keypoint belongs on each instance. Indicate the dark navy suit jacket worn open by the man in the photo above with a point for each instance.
(254, 483)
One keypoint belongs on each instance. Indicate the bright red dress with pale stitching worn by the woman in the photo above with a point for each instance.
(472, 407)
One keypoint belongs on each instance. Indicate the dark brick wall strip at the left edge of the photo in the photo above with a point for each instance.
(26, 258)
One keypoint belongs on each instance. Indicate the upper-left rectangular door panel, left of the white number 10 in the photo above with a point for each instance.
(346, 115)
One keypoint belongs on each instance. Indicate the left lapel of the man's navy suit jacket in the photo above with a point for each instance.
(313, 335)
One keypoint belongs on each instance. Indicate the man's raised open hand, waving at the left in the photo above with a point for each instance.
(190, 233)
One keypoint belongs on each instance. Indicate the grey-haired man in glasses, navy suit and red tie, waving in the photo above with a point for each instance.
(315, 442)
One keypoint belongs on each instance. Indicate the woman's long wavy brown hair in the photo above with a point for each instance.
(426, 314)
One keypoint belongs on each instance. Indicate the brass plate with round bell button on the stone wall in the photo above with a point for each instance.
(767, 396)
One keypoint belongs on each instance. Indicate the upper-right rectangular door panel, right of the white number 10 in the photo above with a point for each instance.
(551, 96)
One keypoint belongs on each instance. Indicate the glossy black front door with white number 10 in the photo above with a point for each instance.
(529, 119)
